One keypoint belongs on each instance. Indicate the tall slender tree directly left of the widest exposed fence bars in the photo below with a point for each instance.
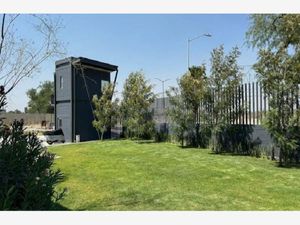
(224, 79)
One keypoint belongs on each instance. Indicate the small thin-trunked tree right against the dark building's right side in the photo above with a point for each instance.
(106, 110)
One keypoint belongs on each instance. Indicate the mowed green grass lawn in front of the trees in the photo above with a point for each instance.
(125, 175)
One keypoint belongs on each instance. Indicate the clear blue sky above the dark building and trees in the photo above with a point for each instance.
(153, 43)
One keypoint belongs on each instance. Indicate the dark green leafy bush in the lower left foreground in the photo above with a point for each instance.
(27, 181)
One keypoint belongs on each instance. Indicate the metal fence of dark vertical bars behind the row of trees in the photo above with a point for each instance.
(249, 104)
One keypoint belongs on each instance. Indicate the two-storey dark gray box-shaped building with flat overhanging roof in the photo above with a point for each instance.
(76, 81)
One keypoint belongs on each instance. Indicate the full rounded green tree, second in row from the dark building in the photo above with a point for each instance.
(137, 98)
